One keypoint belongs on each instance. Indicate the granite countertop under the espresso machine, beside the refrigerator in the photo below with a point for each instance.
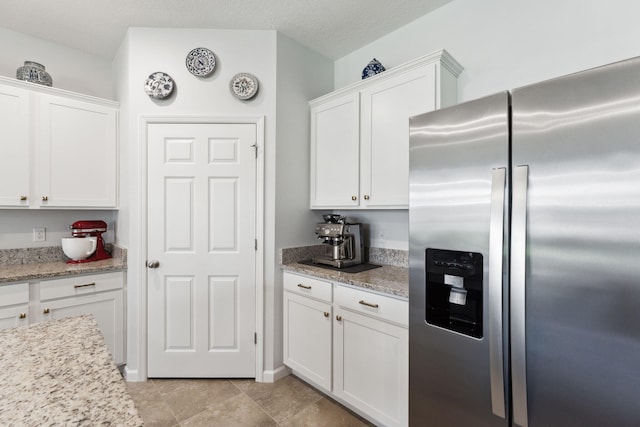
(387, 279)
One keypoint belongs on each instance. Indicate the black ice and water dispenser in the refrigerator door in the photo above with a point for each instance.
(454, 291)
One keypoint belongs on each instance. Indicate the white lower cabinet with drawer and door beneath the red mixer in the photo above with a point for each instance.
(98, 294)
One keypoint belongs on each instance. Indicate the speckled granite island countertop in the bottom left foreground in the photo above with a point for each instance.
(60, 373)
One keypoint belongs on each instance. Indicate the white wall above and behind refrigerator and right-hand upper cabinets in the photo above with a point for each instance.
(502, 44)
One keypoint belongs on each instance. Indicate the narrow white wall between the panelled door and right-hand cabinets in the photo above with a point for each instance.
(301, 75)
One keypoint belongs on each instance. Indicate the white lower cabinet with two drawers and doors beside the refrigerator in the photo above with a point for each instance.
(360, 357)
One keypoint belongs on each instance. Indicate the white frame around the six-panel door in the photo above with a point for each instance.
(145, 121)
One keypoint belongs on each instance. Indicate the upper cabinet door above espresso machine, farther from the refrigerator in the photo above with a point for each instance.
(335, 153)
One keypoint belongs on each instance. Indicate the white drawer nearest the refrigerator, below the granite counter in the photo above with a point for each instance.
(386, 308)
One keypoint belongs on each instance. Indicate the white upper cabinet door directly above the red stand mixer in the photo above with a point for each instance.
(77, 164)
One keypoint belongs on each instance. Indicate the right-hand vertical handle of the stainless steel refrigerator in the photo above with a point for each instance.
(517, 281)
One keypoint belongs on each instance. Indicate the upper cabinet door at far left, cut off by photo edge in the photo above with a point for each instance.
(14, 147)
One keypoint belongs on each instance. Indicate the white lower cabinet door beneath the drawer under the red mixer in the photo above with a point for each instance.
(107, 308)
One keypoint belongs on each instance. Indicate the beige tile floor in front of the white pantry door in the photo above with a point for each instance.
(237, 402)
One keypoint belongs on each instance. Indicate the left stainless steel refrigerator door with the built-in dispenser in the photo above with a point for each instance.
(458, 204)
